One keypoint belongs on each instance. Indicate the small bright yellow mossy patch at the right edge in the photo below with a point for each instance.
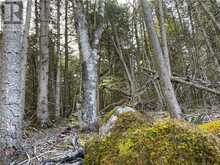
(212, 127)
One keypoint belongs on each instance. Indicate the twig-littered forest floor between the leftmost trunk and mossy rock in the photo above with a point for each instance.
(45, 144)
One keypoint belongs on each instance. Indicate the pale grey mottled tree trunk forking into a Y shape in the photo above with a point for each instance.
(88, 115)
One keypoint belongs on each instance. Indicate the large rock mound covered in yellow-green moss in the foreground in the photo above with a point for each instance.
(133, 141)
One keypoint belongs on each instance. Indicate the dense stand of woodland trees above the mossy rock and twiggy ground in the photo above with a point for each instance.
(79, 59)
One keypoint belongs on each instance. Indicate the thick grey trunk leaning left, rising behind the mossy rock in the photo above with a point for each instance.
(167, 87)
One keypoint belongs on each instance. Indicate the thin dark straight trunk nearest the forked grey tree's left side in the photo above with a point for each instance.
(66, 84)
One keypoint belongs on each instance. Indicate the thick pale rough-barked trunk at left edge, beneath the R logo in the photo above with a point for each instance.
(11, 109)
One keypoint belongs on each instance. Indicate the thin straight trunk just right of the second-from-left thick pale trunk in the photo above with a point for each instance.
(58, 54)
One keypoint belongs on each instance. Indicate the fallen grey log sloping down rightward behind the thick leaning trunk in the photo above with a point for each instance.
(188, 82)
